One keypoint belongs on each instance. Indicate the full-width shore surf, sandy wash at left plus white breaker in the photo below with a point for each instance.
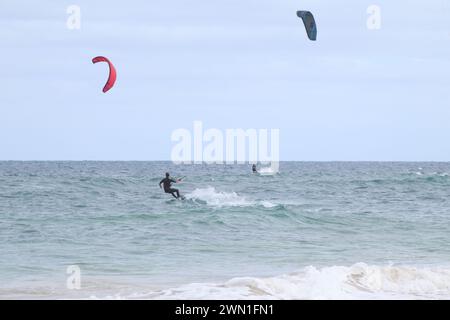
(357, 282)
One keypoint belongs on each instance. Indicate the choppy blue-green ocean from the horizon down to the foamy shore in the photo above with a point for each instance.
(315, 230)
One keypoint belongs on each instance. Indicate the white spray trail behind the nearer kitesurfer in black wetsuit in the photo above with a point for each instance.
(211, 197)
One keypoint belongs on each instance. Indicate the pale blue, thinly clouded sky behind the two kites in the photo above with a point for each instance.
(355, 94)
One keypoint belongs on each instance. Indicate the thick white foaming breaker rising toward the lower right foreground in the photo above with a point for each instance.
(359, 281)
